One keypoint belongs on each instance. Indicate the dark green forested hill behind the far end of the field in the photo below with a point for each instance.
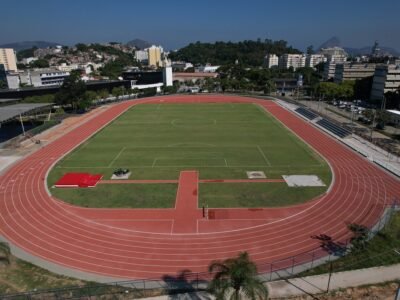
(248, 52)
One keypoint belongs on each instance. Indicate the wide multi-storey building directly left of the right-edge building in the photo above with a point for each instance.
(353, 71)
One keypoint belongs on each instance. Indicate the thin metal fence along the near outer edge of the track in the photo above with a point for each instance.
(187, 281)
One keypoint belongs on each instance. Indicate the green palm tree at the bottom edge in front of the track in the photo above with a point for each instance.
(236, 277)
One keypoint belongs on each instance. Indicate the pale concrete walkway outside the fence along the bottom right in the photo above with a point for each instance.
(313, 285)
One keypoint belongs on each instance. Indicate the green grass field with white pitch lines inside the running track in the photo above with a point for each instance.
(221, 141)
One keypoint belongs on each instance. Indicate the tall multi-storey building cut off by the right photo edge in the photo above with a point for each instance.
(386, 79)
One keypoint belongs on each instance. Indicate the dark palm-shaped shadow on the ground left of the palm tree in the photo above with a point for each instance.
(187, 283)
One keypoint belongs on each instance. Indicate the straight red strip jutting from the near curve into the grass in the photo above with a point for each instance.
(187, 211)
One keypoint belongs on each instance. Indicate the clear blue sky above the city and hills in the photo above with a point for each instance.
(175, 23)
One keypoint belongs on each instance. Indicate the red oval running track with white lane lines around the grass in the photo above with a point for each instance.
(131, 244)
